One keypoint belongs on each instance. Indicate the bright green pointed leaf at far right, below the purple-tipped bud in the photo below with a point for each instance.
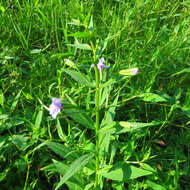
(151, 97)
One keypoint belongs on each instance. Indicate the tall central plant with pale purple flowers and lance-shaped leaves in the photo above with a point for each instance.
(103, 127)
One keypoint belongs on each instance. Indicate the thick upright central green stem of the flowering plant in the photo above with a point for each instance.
(97, 123)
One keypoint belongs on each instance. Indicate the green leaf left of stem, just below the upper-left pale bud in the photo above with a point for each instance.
(79, 77)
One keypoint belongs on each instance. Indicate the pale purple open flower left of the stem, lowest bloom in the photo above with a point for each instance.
(55, 107)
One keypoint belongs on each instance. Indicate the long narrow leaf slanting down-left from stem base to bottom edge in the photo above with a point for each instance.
(73, 168)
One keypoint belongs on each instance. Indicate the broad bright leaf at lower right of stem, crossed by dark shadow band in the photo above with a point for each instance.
(123, 172)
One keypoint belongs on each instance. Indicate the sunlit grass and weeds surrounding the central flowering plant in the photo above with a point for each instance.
(150, 35)
